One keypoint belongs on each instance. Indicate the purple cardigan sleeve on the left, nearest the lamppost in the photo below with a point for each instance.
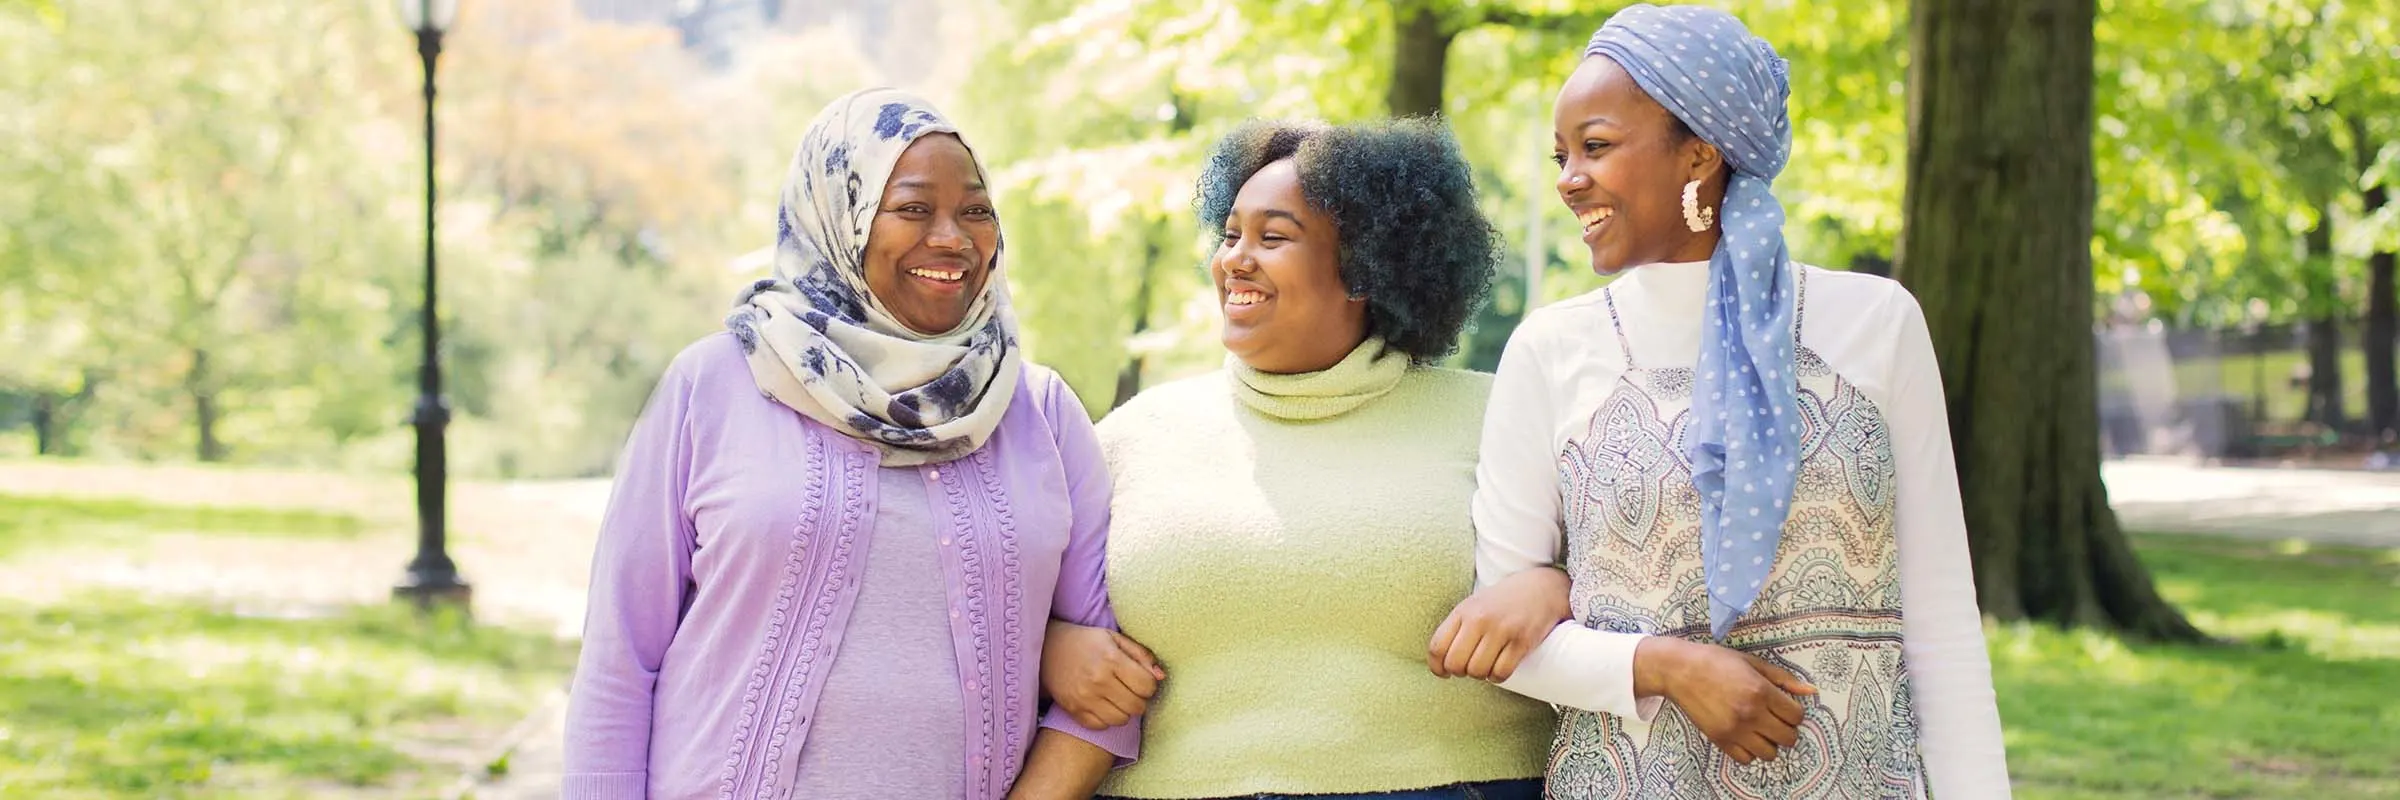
(642, 573)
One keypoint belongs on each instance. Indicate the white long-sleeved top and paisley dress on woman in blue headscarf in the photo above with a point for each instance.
(1583, 467)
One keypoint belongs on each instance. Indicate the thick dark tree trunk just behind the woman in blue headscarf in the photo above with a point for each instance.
(1998, 249)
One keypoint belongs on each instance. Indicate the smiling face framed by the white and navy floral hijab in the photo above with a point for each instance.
(935, 237)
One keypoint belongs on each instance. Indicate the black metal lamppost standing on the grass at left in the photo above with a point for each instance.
(431, 578)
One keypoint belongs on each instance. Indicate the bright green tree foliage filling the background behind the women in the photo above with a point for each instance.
(227, 205)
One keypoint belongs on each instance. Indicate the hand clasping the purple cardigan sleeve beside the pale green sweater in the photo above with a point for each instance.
(1098, 676)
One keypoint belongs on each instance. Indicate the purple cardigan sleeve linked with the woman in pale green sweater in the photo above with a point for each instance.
(1084, 585)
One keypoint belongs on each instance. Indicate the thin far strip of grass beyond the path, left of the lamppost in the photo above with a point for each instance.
(102, 523)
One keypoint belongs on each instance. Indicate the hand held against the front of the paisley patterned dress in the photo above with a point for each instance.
(1736, 700)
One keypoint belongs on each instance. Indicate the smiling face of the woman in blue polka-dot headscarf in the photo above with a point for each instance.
(1621, 167)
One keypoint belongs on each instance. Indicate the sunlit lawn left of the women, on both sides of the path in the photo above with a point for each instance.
(138, 695)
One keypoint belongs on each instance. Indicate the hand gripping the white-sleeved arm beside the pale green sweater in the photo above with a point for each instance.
(1499, 626)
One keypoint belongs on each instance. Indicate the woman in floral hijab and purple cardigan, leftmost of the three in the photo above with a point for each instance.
(844, 525)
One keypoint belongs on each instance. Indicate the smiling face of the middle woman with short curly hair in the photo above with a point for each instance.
(1280, 280)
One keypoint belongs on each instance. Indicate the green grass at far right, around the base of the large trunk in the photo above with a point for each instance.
(2298, 705)
